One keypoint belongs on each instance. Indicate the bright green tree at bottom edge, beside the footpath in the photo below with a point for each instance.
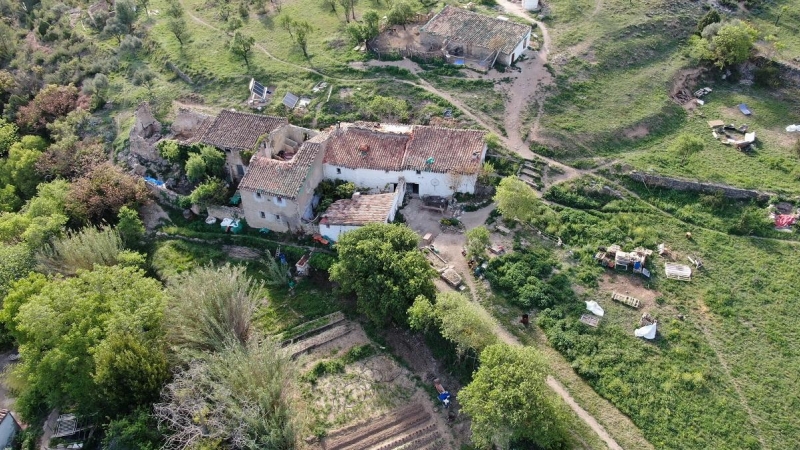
(509, 401)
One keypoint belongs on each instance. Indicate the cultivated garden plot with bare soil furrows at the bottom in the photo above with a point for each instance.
(374, 402)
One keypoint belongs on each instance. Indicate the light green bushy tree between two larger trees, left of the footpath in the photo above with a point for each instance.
(458, 320)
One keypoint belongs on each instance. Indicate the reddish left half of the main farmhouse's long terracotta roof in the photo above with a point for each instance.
(358, 148)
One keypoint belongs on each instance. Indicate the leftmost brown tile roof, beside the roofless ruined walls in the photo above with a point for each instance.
(240, 131)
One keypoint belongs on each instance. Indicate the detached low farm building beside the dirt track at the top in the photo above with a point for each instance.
(461, 33)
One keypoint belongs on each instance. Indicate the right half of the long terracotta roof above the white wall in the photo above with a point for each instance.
(450, 149)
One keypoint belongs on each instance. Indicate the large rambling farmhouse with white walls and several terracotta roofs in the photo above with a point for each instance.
(288, 162)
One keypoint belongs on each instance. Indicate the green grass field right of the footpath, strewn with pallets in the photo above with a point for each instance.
(722, 377)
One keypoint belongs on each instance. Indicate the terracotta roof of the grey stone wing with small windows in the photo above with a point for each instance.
(282, 178)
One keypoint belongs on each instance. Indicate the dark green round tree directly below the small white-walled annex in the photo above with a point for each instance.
(381, 265)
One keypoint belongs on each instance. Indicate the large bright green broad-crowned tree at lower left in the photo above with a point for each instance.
(93, 342)
